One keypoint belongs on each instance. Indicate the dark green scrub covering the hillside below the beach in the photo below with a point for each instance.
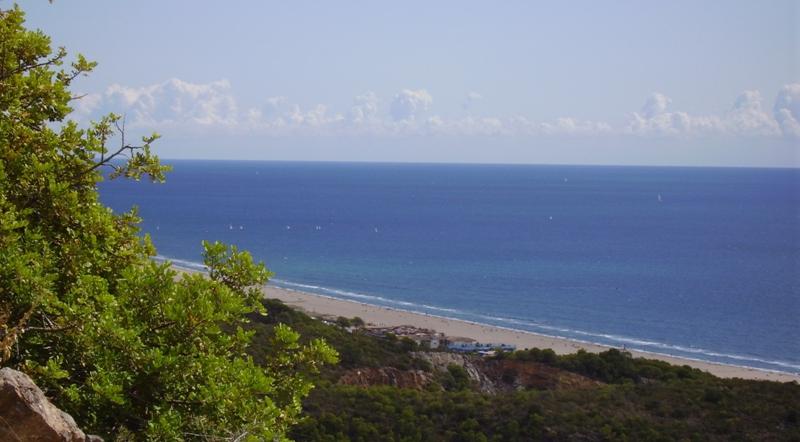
(634, 399)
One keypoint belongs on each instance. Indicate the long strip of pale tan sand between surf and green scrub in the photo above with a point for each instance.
(321, 306)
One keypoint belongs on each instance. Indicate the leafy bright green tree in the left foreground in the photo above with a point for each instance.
(127, 346)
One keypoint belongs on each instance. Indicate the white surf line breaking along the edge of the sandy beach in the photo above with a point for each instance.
(526, 325)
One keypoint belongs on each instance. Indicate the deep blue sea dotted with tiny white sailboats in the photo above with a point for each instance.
(695, 262)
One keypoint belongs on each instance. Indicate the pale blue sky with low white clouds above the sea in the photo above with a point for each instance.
(571, 82)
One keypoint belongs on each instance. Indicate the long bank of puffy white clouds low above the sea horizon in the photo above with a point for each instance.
(175, 104)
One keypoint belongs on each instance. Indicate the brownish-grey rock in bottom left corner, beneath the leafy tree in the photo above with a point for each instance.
(27, 415)
